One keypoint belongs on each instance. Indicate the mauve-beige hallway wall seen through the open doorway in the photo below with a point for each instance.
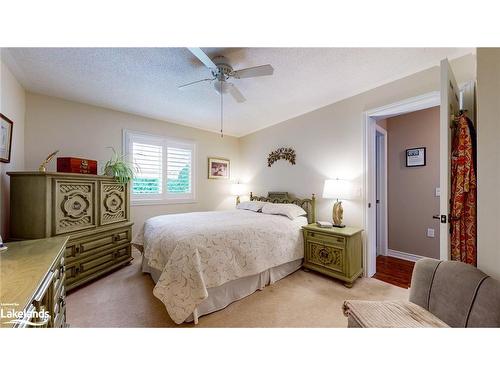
(411, 199)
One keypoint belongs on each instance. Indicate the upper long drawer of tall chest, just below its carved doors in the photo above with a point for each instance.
(88, 246)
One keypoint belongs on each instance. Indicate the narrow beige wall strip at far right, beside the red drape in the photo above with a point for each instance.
(488, 163)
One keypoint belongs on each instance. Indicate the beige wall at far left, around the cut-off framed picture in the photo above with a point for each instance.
(12, 99)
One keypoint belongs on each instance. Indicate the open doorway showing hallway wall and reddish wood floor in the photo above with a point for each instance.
(406, 229)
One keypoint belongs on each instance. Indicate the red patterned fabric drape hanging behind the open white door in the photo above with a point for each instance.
(463, 192)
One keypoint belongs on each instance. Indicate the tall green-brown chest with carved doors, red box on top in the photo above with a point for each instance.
(93, 210)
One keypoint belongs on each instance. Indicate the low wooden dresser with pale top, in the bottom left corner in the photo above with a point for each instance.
(32, 291)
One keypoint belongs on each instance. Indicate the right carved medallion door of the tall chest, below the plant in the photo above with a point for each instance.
(113, 202)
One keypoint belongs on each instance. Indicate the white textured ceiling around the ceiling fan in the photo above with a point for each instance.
(144, 80)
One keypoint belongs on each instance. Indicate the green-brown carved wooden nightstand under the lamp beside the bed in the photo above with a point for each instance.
(336, 252)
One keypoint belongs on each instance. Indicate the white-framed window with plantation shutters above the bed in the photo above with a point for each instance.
(164, 168)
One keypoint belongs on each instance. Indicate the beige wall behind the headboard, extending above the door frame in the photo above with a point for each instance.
(329, 142)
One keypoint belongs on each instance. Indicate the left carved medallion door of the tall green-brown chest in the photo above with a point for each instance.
(74, 206)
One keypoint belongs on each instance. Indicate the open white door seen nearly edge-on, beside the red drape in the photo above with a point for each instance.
(449, 107)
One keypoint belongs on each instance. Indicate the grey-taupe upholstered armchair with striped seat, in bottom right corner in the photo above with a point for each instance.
(442, 294)
